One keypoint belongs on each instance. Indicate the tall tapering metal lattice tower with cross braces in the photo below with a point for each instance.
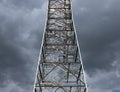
(60, 66)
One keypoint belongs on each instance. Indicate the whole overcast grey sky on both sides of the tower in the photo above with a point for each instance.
(21, 27)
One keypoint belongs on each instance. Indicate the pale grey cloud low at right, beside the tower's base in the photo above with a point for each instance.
(105, 82)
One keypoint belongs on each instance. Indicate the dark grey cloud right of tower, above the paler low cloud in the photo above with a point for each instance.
(98, 27)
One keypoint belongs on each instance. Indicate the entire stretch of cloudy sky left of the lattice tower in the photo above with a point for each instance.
(20, 38)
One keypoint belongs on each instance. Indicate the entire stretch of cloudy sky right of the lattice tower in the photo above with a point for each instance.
(97, 23)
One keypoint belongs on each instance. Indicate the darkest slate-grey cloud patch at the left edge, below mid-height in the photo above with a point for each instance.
(12, 62)
